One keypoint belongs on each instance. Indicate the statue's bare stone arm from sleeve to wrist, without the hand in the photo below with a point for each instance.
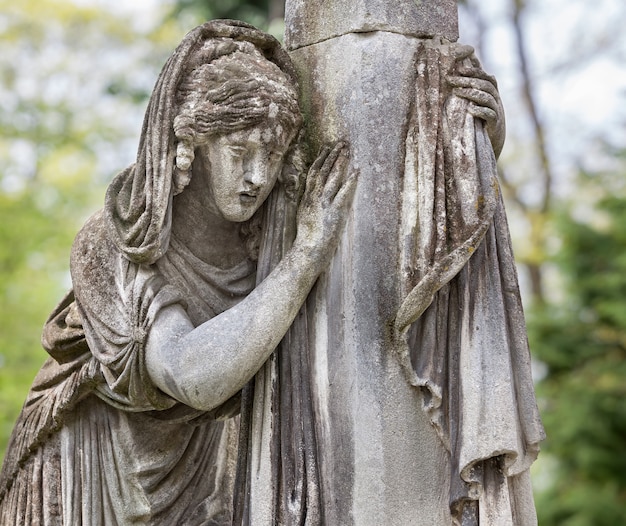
(205, 366)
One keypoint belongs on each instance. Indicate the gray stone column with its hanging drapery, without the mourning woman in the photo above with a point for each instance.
(419, 313)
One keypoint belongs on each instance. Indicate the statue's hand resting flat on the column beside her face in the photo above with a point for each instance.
(323, 209)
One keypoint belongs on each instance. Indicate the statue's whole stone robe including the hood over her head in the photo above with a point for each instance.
(97, 443)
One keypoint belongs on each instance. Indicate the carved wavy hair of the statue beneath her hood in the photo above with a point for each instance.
(228, 86)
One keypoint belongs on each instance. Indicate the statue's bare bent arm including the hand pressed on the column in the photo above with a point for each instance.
(204, 366)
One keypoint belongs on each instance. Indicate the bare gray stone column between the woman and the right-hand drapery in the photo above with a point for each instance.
(380, 460)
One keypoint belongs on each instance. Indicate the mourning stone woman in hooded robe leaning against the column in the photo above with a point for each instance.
(129, 420)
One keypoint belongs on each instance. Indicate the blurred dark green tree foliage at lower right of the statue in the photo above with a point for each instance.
(581, 340)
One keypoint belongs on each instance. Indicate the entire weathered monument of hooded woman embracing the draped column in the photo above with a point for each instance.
(213, 251)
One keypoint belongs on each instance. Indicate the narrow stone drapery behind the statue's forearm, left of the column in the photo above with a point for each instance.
(278, 477)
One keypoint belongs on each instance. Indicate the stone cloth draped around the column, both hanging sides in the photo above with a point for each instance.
(459, 331)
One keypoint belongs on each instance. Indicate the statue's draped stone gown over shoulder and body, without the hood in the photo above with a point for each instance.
(97, 444)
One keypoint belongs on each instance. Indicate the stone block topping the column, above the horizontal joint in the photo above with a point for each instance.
(310, 21)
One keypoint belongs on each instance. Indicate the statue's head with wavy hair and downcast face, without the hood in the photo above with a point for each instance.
(239, 111)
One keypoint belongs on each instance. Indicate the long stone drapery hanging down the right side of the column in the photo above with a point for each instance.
(460, 328)
